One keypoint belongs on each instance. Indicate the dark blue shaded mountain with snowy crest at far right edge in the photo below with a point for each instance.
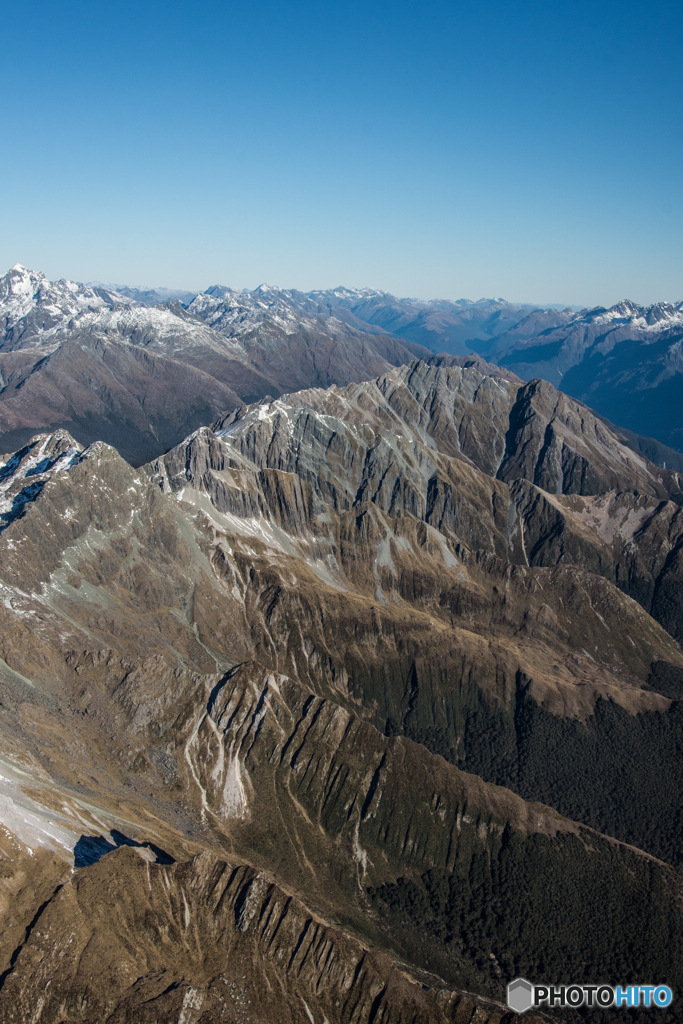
(624, 362)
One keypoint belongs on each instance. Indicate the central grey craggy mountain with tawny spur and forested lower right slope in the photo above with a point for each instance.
(390, 455)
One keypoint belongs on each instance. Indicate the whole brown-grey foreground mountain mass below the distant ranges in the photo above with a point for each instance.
(268, 658)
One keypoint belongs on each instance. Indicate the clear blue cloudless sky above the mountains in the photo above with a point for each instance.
(531, 150)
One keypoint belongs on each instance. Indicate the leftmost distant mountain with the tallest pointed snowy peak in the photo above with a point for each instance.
(109, 369)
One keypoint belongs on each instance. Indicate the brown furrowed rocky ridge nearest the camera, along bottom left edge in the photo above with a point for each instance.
(217, 942)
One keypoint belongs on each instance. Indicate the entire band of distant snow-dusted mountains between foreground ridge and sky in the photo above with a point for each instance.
(142, 368)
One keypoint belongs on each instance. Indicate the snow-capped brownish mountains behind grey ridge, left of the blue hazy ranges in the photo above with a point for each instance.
(108, 367)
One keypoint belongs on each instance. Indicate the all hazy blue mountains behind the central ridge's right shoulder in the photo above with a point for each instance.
(625, 362)
